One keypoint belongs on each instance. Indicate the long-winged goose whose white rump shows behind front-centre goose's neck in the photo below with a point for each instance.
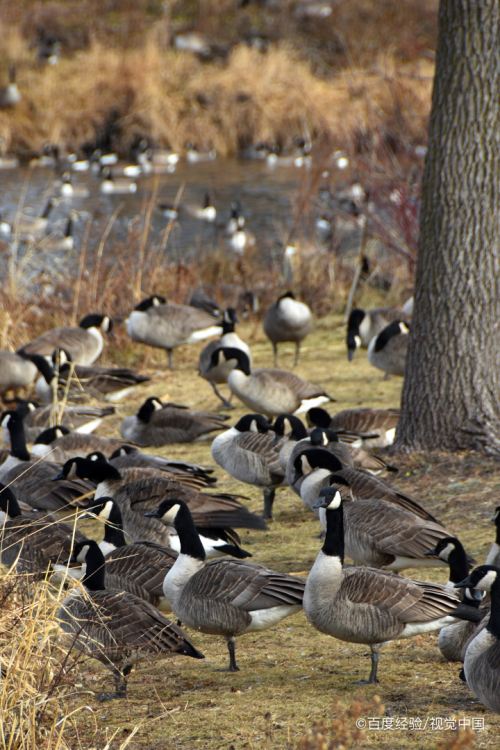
(137, 490)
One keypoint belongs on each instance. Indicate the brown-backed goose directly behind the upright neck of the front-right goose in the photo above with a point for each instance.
(383, 535)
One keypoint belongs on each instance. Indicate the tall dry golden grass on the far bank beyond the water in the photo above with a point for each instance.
(113, 86)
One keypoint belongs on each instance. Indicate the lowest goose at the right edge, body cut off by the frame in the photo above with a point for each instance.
(482, 656)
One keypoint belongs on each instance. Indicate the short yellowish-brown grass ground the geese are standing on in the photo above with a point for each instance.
(291, 676)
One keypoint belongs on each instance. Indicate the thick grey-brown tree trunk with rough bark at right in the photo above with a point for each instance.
(451, 389)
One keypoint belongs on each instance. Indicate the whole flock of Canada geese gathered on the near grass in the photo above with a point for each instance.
(170, 541)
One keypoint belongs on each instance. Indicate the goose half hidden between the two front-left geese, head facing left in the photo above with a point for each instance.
(139, 567)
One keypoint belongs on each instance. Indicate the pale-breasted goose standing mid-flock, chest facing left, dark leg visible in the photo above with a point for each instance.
(249, 452)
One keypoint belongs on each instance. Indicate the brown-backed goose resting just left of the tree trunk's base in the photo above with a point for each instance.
(375, 427)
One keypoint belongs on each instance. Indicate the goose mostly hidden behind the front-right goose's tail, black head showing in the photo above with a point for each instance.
(453, 638)
